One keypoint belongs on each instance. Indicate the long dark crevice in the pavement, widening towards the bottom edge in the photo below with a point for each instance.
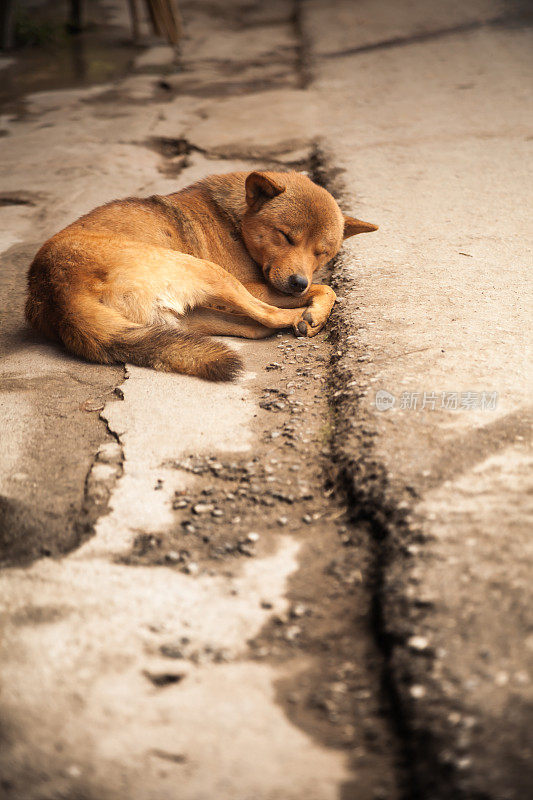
(372, 504)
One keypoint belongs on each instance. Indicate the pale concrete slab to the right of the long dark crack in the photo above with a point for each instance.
(436, 314)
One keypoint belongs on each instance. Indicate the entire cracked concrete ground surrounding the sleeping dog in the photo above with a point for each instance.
(313, 583)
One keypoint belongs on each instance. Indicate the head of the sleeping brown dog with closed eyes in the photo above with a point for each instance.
(292, 227)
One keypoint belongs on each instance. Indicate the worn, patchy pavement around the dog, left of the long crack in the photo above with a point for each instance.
(208, 637)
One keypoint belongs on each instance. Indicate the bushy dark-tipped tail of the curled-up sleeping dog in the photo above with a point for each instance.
(100, 333)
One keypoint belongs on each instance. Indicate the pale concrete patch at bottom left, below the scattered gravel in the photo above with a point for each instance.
(94, 715)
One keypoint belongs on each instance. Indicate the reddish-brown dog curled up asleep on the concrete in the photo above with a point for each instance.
(143, 280)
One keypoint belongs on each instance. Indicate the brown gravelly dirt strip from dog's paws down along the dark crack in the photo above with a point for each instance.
(233, 512)
